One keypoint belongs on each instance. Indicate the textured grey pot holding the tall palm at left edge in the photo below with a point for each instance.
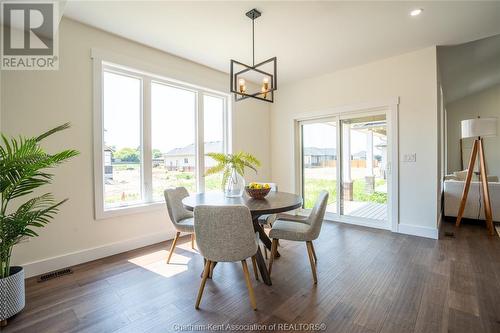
(12, 295)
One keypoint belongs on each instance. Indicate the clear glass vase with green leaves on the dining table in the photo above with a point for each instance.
(232, 167)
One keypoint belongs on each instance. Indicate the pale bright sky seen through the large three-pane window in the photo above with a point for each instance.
(172, 113)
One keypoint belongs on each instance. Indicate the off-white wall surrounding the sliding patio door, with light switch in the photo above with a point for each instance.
(412, 77)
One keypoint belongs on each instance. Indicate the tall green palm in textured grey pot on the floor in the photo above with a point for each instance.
(23, 168)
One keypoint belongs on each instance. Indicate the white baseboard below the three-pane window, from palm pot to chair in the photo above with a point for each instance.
(79, 257)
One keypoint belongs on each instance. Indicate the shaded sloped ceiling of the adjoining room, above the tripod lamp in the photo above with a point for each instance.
(469, 68)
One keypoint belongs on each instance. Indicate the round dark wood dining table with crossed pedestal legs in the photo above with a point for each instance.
(273, 203)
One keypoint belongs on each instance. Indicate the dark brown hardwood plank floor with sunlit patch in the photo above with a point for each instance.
(368, 281)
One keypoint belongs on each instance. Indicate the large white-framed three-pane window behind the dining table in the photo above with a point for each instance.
(152, 134)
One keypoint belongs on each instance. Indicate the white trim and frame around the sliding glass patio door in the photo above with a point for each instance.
(391, 108)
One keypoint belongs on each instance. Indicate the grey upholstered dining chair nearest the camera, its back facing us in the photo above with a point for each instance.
(225, 234)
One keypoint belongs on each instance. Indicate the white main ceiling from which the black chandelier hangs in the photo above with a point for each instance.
(308, 38)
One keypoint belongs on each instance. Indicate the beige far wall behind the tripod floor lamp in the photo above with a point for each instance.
(485, 104)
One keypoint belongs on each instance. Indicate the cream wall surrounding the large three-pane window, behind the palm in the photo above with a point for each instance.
(34, 101)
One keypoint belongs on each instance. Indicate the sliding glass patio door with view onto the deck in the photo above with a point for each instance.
(348, 157)
